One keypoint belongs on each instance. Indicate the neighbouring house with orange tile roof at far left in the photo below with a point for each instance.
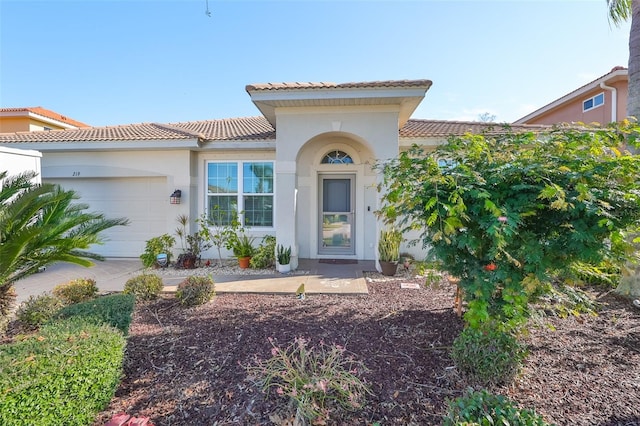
(34, 119)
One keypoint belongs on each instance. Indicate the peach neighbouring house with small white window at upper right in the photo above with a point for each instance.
(604, 100)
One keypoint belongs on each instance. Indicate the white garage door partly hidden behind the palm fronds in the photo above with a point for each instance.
(141, 200)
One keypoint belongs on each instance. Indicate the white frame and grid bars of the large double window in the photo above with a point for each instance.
(240, 194)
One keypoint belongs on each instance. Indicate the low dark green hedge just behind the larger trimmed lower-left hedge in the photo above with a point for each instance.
(114, 310)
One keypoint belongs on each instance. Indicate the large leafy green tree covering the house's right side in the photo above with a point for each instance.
(505, 212)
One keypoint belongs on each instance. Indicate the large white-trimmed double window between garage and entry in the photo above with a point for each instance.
(241, 187)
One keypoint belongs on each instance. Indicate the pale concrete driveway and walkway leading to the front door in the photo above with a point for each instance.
(112, 274)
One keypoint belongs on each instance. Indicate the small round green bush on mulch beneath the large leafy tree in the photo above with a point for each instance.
(487, 355)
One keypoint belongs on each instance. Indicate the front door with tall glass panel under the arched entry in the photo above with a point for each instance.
(336, 225)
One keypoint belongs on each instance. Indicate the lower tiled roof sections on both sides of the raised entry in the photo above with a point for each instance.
(237, 129)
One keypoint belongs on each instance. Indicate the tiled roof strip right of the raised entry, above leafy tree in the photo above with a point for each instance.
(441, 128)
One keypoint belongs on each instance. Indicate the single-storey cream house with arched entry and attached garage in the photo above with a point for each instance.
(303, 171)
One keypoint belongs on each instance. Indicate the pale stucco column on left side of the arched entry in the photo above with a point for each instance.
(285, 208)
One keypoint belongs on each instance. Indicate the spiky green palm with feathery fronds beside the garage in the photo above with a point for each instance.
(42, 224)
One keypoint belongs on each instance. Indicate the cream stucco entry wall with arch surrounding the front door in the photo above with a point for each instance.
(305, 135)
